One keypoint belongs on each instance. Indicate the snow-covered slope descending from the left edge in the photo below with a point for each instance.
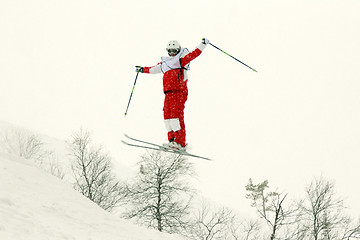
(35, 205)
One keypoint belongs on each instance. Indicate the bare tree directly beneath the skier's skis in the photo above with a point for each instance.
(160, 197)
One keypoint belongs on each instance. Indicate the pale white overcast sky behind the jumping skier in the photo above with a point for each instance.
(66, 64)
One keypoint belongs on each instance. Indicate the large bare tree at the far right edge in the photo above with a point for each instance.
(323, 214)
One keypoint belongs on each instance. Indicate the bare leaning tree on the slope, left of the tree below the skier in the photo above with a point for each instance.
(92, 171)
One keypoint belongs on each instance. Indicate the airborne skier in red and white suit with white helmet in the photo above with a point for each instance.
(175, 67)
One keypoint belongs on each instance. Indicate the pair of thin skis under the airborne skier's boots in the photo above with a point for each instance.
(153, 146)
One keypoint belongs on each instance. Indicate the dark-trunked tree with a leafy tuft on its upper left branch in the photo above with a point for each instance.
(270, 206)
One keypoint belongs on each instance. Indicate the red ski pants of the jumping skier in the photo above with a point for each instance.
(174, 105)
